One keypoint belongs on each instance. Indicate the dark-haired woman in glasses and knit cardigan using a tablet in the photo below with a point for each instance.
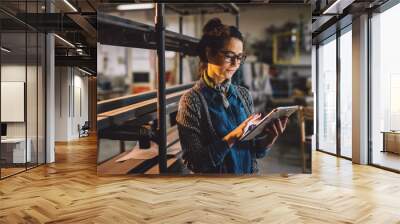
(212, 115)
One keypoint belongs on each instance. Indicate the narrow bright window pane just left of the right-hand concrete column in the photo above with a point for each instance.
(345, 94)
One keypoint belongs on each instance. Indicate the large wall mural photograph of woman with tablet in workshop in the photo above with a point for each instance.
(222, 94)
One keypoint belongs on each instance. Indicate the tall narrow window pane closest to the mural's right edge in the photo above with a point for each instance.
(327, 96)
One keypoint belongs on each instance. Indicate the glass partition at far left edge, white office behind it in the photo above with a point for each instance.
(14, 150)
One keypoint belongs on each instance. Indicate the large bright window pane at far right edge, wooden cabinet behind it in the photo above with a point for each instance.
(385, 84)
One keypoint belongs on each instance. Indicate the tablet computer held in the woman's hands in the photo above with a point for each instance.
(256, 127)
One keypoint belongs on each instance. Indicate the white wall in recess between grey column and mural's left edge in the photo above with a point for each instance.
(70, 83)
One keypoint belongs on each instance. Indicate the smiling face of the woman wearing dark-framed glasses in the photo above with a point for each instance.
(224, 64)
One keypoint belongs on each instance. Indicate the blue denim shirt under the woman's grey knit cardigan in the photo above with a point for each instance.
(237, 160)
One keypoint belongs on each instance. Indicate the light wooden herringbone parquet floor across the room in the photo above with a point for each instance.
(69, 191)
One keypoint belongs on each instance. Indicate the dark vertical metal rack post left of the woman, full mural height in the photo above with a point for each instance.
(162, 127)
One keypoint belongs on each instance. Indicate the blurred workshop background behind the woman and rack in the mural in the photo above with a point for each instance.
(277, 70)
